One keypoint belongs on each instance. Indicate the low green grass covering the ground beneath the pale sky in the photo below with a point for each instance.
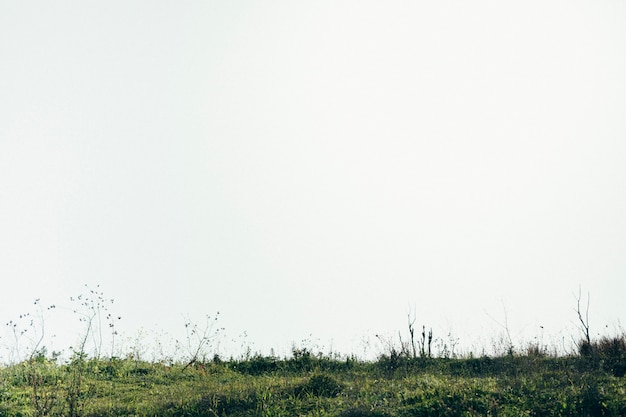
(308, 385)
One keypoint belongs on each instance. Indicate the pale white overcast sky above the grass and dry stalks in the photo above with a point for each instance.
(313, 170)
